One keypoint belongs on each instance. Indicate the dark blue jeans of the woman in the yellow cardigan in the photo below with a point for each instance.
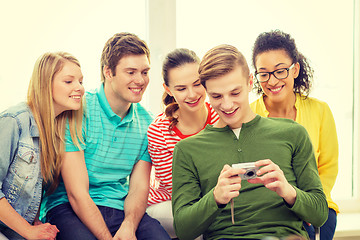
(327, 230)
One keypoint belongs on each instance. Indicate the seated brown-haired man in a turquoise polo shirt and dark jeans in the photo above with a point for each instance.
(104, 187)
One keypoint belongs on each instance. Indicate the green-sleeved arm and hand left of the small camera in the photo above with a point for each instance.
(187, 200)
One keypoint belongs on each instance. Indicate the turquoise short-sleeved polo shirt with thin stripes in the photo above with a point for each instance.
(112, 147)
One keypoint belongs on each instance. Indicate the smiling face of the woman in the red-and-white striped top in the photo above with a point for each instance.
(185, 87)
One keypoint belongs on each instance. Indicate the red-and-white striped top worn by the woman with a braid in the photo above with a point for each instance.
(161, 148)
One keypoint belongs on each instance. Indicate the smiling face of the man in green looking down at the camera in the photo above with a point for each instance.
(229, 96)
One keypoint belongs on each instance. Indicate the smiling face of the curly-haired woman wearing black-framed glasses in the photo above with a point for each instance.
(277, 90)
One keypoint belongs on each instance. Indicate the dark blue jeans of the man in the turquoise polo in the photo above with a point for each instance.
(71, 227)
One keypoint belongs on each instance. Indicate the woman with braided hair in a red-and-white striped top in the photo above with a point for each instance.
(186, 113)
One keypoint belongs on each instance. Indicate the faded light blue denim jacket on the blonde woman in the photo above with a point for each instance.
(20, 175)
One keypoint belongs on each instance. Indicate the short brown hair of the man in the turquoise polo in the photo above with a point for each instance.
(119, 46)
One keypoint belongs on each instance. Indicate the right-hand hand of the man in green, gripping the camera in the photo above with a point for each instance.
(274, 179)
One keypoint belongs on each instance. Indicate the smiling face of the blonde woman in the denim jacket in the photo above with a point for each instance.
(67, 88)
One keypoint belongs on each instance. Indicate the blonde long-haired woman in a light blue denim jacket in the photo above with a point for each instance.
(32, 136)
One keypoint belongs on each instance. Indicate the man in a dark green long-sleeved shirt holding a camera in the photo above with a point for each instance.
(209, 196)
